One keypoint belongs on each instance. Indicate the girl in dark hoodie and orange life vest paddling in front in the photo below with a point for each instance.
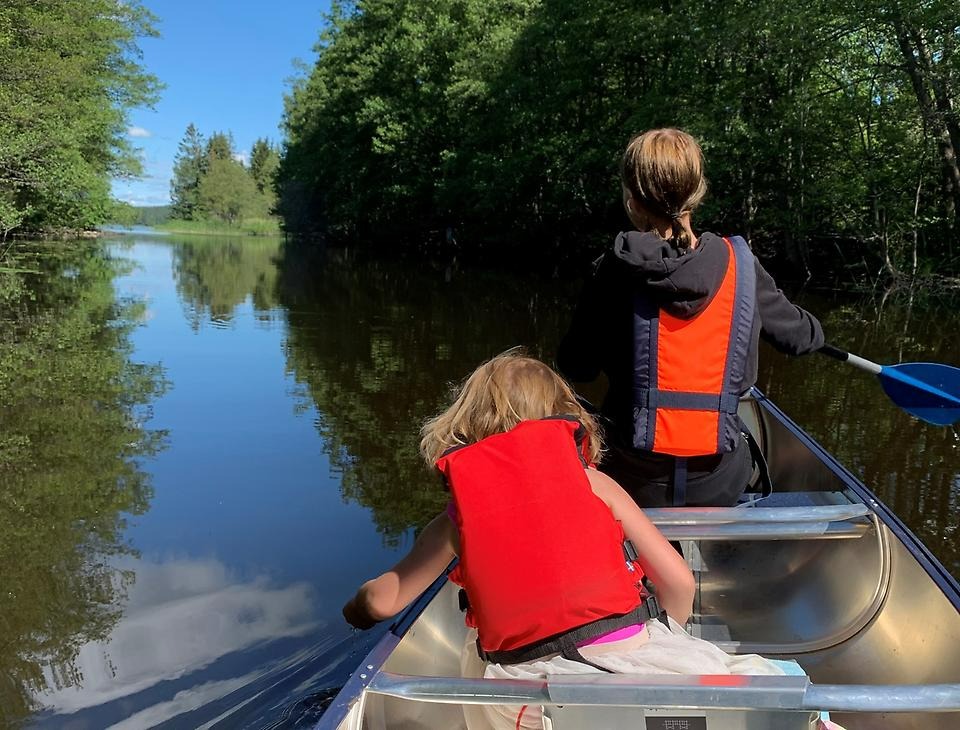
(673, 318)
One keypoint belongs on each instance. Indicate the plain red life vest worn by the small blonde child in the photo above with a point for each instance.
(540, 553)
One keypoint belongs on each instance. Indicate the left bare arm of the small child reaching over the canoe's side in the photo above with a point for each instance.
(391, 592)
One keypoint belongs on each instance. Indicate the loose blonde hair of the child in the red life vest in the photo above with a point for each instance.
(499, 394)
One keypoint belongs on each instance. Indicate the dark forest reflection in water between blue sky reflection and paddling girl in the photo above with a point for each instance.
(376, 343)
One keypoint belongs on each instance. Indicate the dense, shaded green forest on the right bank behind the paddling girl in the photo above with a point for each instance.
(830, 129)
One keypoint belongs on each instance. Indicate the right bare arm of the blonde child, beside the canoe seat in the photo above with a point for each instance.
(665, 566)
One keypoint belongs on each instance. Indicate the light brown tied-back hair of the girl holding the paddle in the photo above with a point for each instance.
(663, 170)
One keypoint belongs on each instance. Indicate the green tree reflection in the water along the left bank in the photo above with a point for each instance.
(72, 405)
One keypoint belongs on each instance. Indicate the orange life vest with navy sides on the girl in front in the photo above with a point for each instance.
(689, 373)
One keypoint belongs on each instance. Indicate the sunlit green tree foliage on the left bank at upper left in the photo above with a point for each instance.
(69, 73)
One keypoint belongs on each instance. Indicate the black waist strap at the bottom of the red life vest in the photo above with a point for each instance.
(565, 643)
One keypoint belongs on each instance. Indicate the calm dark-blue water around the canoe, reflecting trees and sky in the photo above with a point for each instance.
(211, 442)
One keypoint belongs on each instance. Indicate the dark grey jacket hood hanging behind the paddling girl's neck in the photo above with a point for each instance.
(683, 283)
